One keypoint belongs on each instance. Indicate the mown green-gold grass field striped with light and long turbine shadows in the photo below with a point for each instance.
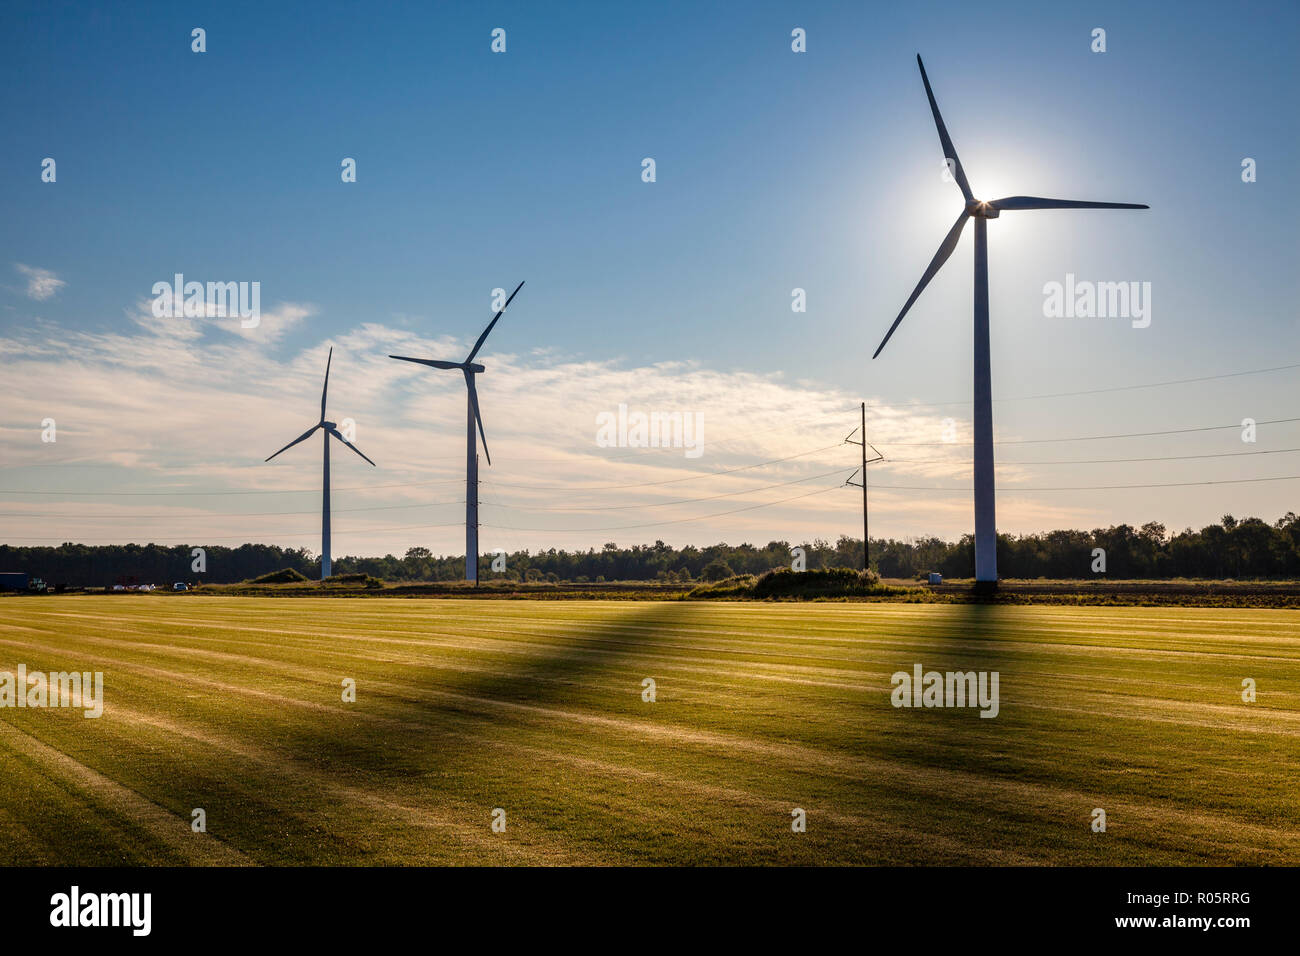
(235, 706)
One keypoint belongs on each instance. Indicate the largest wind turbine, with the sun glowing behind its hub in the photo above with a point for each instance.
(982, 211)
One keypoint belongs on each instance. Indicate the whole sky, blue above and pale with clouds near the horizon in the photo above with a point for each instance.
(775, 171)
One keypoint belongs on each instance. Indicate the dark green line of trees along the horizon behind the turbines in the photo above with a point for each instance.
(1233, 548)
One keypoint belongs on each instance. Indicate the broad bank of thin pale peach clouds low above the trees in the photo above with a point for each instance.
(164, 425)
